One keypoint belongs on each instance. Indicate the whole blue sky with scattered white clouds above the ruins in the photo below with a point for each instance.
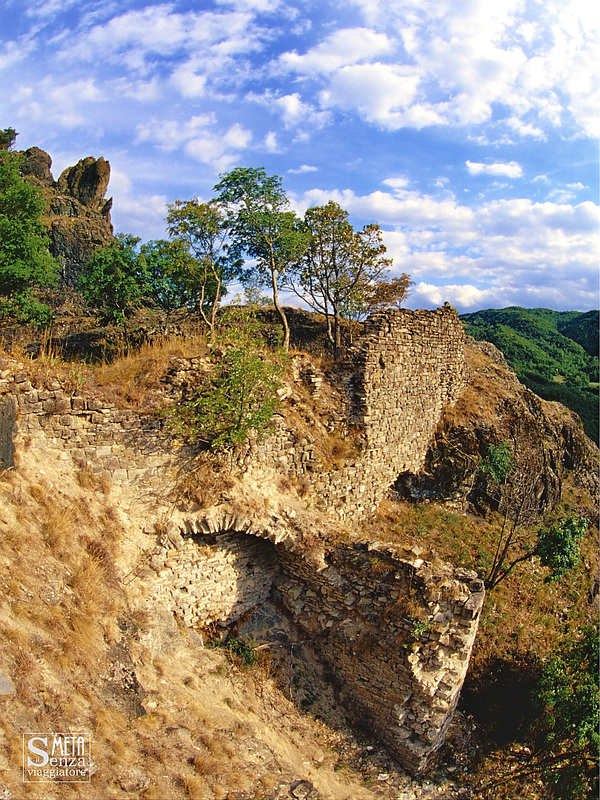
(468, 129)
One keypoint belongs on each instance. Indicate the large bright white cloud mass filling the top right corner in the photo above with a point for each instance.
(536, 62)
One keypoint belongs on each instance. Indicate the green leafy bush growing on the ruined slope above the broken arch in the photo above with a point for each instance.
(240, 397)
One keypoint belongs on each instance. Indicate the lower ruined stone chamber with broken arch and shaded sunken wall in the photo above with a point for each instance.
(396, 630)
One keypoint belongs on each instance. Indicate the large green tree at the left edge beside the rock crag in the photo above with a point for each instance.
(25, 261)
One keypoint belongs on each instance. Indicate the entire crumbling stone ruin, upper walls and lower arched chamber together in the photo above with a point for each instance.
(395, 629)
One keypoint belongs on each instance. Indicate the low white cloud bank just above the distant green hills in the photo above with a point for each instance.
(485, 255)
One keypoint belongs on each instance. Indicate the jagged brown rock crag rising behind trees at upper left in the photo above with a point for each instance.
(78, 217)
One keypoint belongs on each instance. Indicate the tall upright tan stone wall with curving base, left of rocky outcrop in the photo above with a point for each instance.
(404, 370)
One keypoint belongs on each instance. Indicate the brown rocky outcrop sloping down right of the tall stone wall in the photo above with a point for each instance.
(547, 439)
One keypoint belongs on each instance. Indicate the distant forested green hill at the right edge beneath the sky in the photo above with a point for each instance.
(554, 353)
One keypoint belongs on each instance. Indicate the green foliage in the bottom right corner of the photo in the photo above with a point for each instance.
(568, 724)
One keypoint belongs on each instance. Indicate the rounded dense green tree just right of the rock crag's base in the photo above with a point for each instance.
(114, 281)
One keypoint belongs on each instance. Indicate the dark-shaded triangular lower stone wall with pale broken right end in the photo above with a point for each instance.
(397, 632)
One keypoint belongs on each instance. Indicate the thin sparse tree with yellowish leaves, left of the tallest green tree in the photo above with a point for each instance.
(201, 231)
